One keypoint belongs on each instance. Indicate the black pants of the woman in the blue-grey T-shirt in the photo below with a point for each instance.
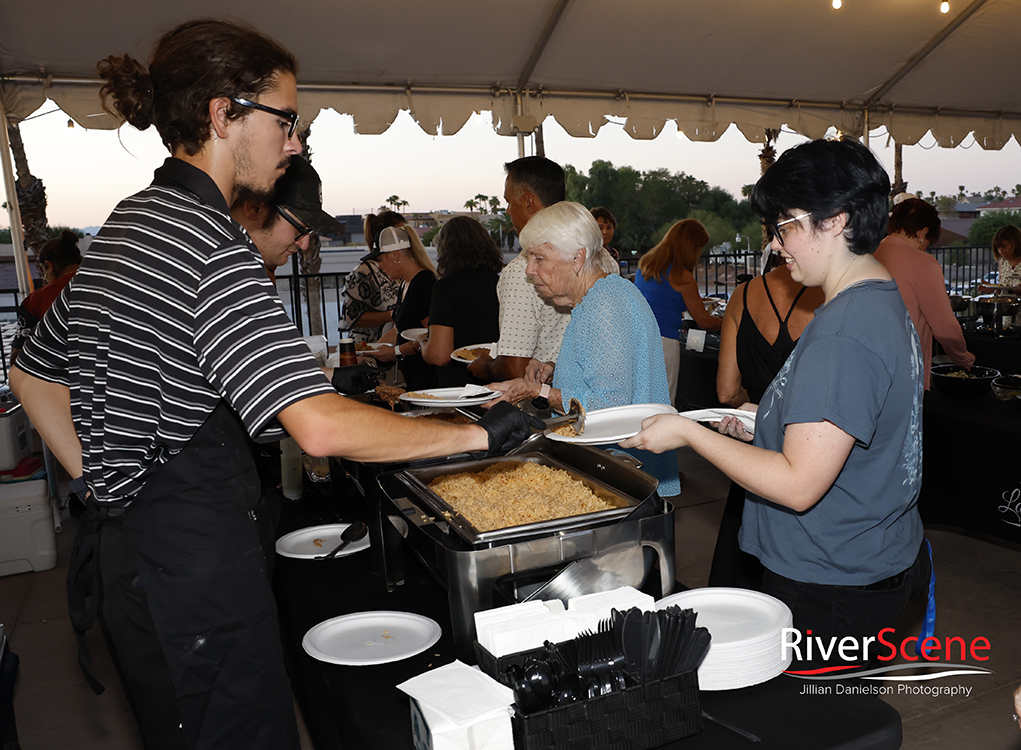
(836, 612)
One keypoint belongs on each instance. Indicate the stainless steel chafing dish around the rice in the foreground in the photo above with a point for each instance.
(482, 570)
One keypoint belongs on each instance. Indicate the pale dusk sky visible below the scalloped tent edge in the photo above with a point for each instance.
(86, 173)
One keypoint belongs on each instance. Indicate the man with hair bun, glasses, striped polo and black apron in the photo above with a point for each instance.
(153, 375)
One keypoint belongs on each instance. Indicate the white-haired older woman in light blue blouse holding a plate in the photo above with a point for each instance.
(611, 355)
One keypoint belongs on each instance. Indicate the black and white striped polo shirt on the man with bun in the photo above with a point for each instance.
(171, 312)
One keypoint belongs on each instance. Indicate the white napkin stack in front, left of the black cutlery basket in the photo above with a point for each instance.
(464, 709)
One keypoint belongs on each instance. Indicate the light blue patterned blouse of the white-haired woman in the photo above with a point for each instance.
(612, 356)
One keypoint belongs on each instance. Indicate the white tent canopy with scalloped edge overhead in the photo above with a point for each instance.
(705, 65)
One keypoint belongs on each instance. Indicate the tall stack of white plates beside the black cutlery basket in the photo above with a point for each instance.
(747, 629)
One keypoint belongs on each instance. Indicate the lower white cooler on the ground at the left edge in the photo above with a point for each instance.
(27, 538)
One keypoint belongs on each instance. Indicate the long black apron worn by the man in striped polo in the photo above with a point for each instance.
(183, 577)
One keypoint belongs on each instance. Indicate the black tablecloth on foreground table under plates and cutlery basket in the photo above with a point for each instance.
(361, 708)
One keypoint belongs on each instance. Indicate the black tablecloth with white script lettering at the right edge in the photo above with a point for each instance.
(970, 477)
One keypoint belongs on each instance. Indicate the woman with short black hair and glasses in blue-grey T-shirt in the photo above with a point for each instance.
(836, 470)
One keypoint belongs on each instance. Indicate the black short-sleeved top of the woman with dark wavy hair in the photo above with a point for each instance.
(467, 303)
